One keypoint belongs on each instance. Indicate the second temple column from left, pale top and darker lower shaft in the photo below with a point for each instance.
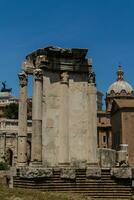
(36, 154)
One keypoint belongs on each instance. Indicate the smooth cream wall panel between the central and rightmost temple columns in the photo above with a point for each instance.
(78, 118)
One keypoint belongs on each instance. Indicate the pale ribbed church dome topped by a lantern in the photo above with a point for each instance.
(120, 85)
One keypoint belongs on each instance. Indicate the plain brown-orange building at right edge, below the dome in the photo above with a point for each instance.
(123, 127)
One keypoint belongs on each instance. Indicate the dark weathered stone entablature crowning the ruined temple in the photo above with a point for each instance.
(57, 59)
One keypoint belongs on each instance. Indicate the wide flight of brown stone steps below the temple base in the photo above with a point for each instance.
(103, 188)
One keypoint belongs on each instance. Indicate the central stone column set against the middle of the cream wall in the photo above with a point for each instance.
(63, 126)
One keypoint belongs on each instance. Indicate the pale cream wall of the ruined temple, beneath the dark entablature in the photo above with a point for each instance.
(70, 108)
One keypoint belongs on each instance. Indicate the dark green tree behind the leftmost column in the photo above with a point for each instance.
(11, 111)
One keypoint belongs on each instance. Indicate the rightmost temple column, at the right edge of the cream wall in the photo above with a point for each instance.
(92, 123)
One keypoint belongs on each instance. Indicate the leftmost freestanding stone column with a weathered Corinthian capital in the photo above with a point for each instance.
(22, 132)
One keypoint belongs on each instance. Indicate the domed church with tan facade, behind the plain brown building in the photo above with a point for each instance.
(120, 89)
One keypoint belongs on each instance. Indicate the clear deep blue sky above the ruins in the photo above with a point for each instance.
(105, 27)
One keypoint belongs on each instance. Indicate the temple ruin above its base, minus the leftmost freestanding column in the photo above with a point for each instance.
(68, 107)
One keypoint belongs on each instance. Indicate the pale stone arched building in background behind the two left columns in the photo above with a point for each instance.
(9, 128)
